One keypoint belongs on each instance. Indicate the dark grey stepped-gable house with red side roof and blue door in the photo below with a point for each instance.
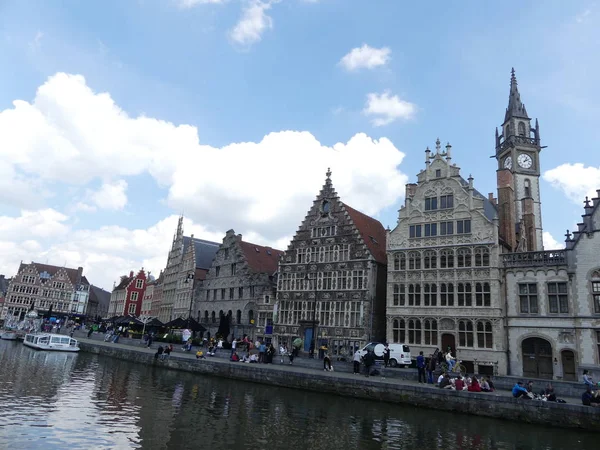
(332, 278)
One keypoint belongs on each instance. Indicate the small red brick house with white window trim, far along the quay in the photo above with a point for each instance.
(128, 295)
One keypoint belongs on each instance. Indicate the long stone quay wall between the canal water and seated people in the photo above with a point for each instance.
(374, 388)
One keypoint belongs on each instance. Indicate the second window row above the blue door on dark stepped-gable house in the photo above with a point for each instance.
(338, 280)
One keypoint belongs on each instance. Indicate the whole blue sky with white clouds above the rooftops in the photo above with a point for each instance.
(117, 116)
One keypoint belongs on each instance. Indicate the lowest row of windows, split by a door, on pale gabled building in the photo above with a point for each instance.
(425, 332)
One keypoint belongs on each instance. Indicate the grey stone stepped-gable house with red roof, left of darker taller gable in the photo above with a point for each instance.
(239, 289)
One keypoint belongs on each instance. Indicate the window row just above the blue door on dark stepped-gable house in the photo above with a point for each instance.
(329, 313)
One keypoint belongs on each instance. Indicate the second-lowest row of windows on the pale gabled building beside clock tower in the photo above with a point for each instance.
(429, 294)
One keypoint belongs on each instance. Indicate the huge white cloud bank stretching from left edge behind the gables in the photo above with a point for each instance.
(69, 135)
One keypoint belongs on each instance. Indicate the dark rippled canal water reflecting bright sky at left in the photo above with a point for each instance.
(83, 401)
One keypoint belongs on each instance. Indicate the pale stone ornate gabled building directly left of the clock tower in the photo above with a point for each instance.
(443, 286)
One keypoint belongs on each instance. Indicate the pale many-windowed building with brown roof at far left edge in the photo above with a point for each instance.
(44, 285)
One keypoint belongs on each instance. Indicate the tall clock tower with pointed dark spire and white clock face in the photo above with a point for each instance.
(518, 155)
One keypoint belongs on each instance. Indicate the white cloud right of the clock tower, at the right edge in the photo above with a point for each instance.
(575, 180)
